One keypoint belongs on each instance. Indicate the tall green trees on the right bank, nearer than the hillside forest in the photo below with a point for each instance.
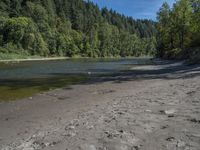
(179, 30)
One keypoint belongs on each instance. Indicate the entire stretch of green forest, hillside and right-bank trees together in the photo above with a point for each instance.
(77, 28)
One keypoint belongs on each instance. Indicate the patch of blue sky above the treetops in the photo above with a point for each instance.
(138, 9)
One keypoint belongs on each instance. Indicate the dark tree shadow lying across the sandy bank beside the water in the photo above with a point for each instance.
(173, 70)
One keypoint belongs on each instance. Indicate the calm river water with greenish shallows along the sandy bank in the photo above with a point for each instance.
(24, 79)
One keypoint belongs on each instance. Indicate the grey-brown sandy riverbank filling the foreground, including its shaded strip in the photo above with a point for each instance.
(141, 109)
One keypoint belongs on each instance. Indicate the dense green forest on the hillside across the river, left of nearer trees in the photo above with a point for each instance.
(72, 28)
